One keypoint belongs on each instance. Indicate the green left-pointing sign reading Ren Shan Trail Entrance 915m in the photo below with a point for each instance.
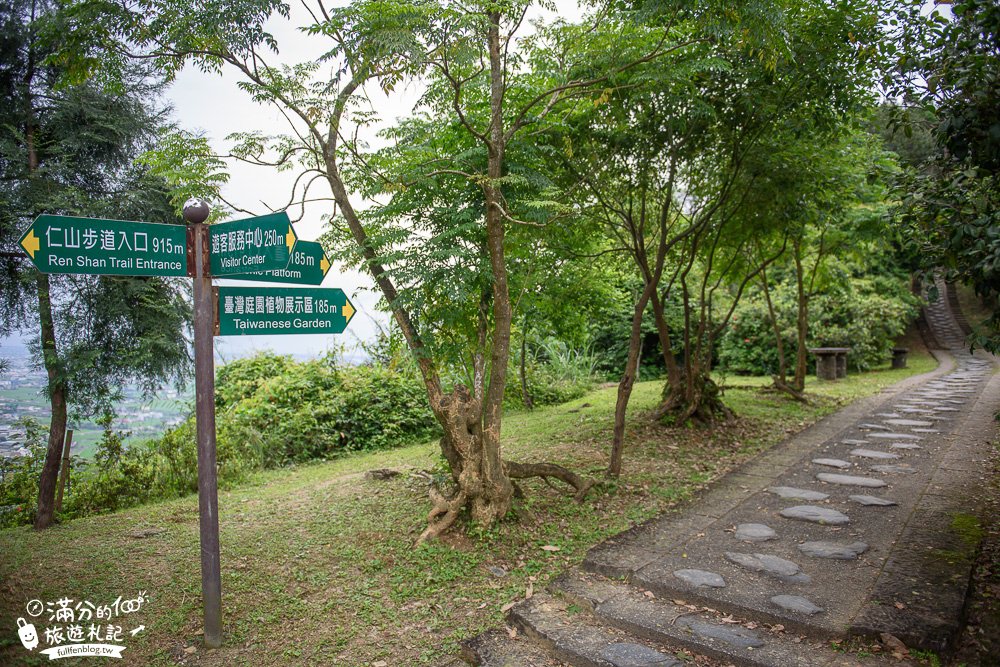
(64, 244)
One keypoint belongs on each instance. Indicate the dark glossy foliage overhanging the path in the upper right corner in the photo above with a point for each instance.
(949, 208)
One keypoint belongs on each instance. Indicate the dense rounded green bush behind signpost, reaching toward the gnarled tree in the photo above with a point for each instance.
(272, 411)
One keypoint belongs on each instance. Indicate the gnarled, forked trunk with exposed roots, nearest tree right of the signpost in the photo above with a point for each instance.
(471, 421)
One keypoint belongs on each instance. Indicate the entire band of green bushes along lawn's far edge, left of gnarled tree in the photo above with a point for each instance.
(271, 411)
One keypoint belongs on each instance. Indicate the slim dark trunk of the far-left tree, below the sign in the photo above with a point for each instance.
(57, 400)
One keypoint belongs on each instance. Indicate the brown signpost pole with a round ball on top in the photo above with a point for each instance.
(204, 360)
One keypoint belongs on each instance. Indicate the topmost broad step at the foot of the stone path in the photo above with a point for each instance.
(701, 630)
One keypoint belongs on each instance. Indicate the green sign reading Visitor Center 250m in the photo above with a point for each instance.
(263, 243)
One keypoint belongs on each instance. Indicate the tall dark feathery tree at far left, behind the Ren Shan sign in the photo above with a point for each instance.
(70, 150)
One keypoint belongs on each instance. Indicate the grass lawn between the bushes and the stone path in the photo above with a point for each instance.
(317, 561)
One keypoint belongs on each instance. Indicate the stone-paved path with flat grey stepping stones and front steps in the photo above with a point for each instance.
(861, 525)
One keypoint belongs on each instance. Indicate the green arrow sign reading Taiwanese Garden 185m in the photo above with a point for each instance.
(283, 310)
